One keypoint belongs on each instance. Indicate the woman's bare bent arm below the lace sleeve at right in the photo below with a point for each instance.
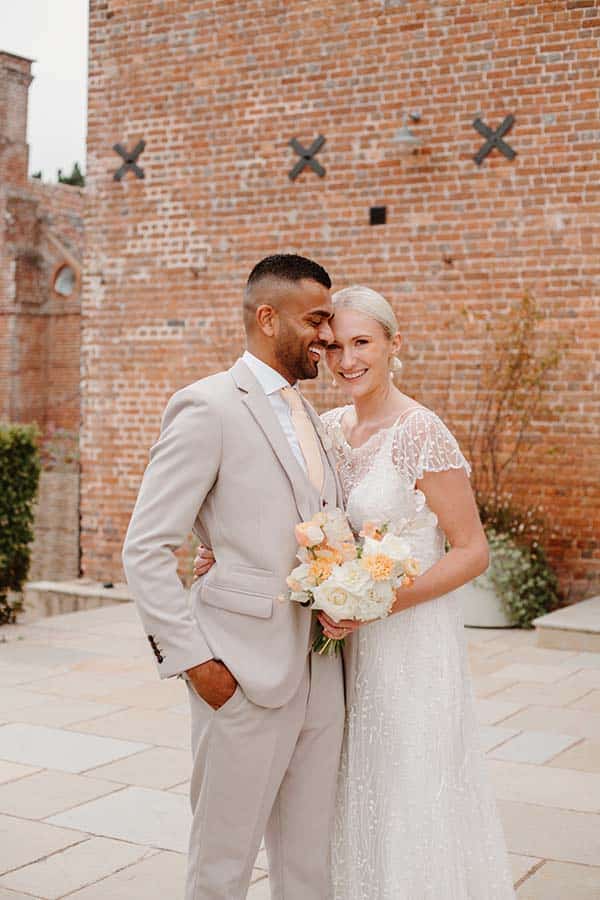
(450, 497)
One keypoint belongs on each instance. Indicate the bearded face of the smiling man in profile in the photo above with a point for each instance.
(302, 330)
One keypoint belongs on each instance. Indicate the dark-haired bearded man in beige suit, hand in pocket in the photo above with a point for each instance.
(240, 459)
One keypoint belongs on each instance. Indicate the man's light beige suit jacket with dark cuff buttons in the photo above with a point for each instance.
(223, 468)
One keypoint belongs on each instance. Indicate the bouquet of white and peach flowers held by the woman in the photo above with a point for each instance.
(348, 576)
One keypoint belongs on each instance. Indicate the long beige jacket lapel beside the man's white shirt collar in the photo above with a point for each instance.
(259, 406)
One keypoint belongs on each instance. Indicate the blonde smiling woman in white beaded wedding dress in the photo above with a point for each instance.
(416, 817)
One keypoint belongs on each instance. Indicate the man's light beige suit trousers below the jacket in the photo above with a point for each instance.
(266, 771)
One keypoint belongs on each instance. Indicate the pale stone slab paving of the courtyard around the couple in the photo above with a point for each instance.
(94, 762)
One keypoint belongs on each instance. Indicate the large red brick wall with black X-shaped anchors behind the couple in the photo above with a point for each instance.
(217, 89)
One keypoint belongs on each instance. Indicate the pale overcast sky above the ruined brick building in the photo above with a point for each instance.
(54, 33)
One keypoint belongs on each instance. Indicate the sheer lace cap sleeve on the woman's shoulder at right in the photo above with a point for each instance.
(422, 443)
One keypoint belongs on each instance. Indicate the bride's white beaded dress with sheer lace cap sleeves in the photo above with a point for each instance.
(416, 818)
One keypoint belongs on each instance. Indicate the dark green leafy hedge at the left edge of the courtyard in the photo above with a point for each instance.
(19, 479)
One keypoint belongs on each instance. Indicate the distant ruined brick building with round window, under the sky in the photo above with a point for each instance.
(41, 227)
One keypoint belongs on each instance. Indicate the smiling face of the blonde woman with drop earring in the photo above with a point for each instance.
(359, 356)
